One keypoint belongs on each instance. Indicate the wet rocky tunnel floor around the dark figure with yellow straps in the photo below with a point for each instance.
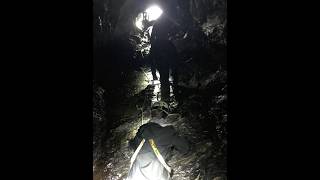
(207, 159)
